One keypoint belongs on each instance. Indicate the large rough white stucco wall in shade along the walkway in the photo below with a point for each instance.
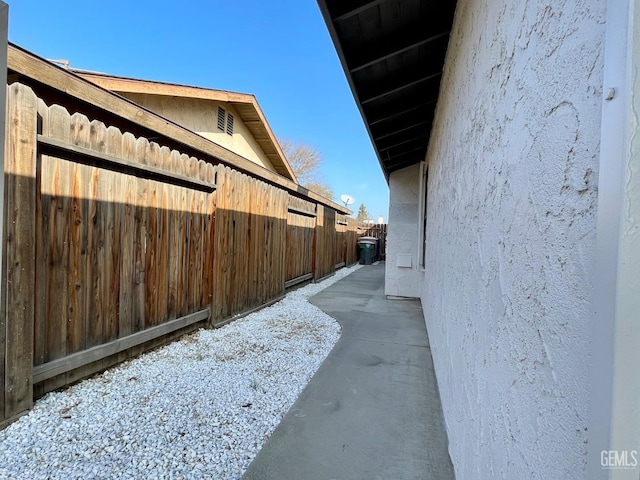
(513, 163)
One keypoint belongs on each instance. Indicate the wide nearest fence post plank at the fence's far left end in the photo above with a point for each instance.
(20, 215)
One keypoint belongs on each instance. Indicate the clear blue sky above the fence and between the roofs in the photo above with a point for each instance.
(280, 51)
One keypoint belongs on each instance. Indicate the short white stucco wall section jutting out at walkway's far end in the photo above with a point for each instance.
(402, 233)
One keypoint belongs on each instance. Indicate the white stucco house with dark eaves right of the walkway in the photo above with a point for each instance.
(508, 135)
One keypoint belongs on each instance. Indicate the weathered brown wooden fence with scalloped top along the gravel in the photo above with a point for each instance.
(115, 244)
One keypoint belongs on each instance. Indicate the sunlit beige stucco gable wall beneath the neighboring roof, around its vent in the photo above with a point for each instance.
(201, 116)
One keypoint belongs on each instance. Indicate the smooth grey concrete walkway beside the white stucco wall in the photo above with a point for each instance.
(372, 411)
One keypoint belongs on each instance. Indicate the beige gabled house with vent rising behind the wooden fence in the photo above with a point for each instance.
(232, 120)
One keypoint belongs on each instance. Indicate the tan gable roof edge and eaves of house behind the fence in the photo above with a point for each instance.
(245, 105)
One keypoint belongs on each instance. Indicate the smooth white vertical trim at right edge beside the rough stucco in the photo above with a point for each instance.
(614, 417)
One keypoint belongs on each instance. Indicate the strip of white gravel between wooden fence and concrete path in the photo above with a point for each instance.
(201, 407)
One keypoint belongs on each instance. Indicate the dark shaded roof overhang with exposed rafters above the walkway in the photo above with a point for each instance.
(392, 53)
